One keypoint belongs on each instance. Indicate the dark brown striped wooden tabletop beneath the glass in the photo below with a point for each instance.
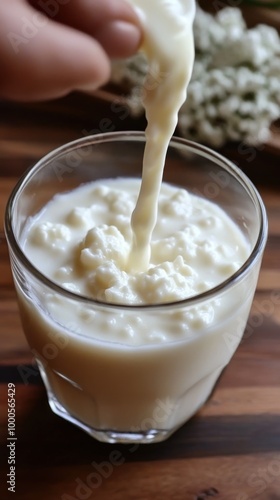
(229, 451)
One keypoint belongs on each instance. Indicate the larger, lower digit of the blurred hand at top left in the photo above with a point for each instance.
(43, 59)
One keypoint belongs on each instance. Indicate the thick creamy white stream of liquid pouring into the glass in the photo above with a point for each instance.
(168, 45)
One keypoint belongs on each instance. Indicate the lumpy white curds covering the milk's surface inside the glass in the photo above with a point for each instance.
(195, 245)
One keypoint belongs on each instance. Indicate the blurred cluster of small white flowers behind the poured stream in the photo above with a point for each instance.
(234, 93)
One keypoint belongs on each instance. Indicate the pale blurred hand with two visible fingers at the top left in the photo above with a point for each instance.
(49, 48)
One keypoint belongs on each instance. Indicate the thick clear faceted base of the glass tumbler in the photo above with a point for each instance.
(61, 396)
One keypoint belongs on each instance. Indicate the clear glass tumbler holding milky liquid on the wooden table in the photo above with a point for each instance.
(115, 391)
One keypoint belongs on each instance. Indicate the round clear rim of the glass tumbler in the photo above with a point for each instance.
(139, 136)
